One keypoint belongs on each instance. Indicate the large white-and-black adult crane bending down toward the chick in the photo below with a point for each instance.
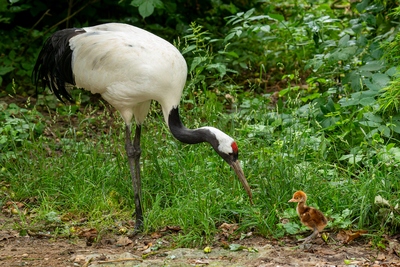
(129, 67)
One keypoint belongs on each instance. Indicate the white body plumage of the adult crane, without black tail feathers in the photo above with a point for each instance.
(129, 67)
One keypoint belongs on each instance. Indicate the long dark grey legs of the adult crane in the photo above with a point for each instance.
(133, 151)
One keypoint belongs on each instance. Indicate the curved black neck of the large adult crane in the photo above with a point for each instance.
(185, 135)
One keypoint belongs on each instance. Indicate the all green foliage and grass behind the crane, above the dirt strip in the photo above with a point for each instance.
(308, 88)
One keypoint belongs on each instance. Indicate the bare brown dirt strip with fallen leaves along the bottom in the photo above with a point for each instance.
(43, 249)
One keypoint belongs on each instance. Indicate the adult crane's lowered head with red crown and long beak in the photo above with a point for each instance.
(227, 148)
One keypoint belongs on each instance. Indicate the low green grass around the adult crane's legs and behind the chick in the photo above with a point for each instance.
(190, 186)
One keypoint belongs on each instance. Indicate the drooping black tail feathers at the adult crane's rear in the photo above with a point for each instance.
(53, 65)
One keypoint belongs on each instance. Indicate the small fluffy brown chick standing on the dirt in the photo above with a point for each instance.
(309, 216)
